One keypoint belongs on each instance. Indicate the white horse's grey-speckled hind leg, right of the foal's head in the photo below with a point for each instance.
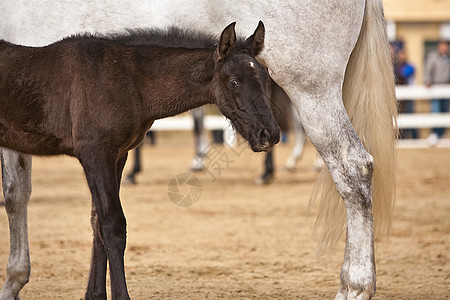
(351, 166)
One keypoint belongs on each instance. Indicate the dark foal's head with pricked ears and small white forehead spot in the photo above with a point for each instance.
(241, 88)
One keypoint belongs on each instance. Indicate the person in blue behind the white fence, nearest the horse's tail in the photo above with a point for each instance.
(404, 72)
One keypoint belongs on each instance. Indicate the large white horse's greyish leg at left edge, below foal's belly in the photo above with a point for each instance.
(16, 175)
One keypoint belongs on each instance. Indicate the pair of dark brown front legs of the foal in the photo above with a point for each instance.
(103, 173)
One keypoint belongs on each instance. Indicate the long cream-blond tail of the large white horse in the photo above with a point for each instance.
(369, 98)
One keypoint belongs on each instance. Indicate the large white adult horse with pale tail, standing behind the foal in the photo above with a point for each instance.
(332, 59)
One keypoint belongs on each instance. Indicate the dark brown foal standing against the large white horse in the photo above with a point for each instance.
(94, 98)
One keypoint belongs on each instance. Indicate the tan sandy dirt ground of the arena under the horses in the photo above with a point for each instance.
(239, 241)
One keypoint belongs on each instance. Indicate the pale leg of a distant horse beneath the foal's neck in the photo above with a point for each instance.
(201, 146)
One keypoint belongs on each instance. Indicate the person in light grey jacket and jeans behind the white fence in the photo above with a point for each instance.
(437, 71)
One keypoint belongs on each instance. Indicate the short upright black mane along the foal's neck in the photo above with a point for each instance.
(171, 37)
